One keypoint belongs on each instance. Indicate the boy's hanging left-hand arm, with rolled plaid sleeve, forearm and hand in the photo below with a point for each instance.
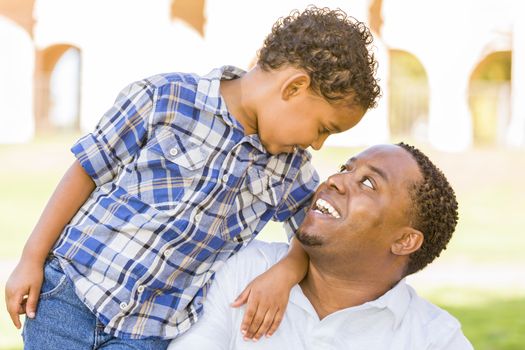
(116, 140)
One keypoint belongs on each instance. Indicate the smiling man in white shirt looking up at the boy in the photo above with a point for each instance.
(387, 214)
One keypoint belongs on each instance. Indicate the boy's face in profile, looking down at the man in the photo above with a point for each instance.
(303, 120)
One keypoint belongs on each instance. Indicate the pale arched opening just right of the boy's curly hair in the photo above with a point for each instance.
(409, 92)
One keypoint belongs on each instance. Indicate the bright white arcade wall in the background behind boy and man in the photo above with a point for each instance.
(125, 40)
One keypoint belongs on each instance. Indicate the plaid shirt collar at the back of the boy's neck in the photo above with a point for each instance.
(209, 97)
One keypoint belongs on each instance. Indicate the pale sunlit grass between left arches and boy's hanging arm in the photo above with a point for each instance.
(29, 174)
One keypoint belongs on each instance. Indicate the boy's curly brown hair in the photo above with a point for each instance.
(331, 47)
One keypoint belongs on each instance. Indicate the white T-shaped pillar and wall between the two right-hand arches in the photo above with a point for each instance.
(450, 37)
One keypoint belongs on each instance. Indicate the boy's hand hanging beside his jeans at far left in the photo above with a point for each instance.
(23, 289)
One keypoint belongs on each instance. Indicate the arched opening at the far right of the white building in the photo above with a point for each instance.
(489, 98)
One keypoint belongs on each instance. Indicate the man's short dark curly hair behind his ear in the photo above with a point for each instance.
(434, 211)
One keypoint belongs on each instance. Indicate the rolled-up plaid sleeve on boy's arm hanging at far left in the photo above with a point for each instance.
(119, 135)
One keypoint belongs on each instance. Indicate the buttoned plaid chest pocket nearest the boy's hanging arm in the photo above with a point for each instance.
(166, 171)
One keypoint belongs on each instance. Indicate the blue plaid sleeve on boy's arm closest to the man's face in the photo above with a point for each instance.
(293, 209)
